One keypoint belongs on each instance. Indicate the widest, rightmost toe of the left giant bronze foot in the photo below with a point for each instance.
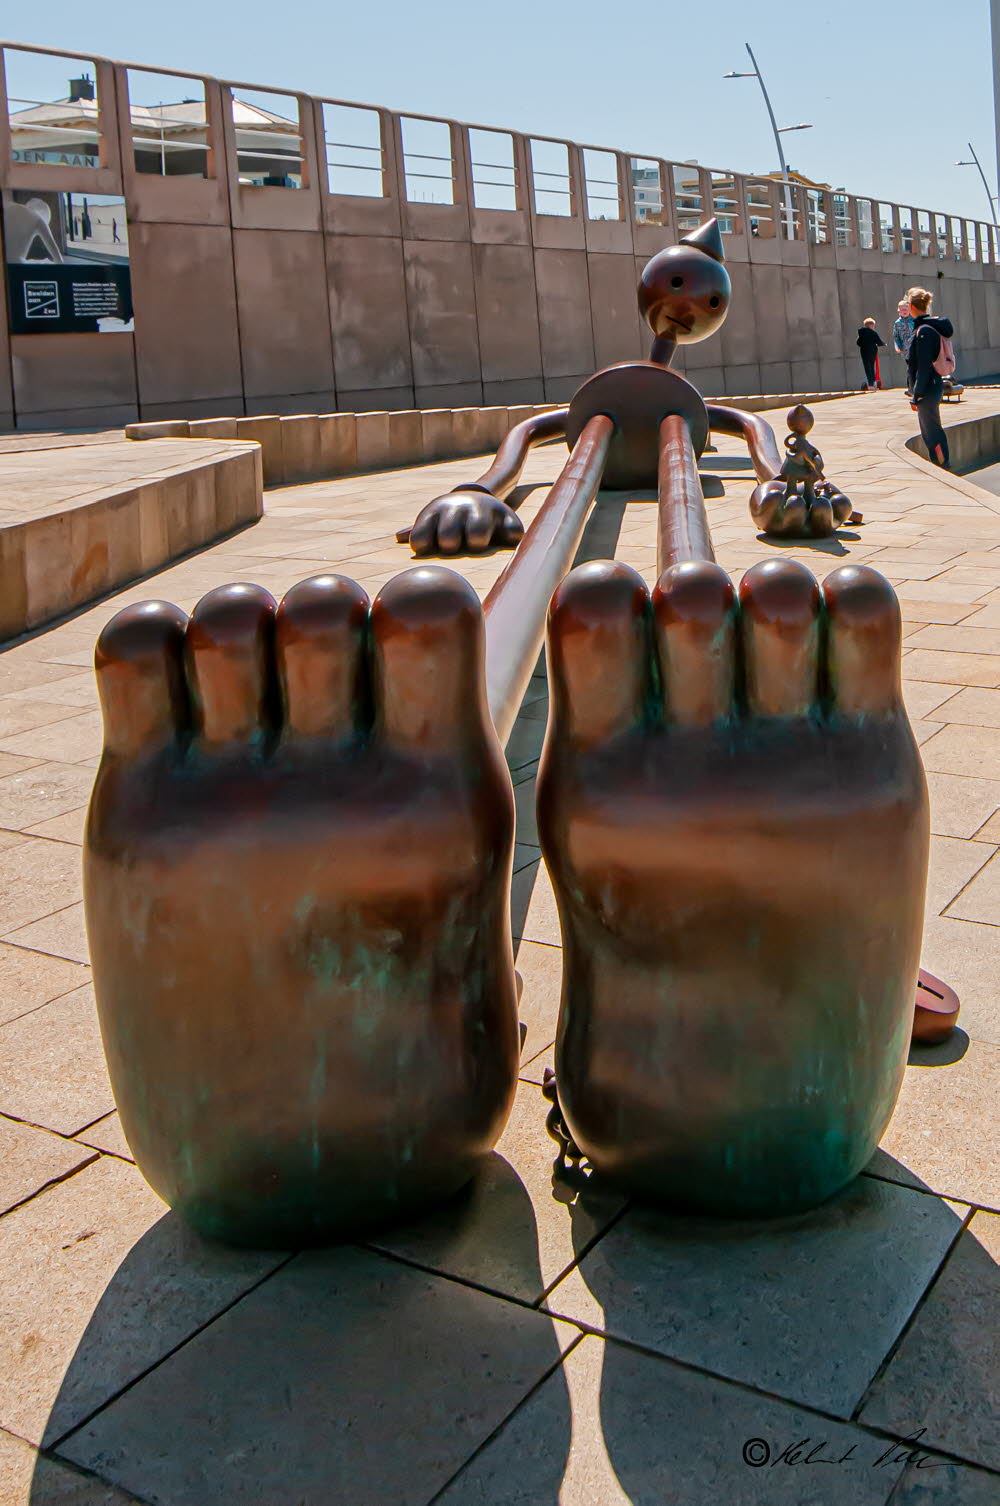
(428, 660)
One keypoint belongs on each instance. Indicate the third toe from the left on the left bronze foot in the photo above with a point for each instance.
(320, 630)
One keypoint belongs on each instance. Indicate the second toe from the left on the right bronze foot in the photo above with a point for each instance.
(695, 608)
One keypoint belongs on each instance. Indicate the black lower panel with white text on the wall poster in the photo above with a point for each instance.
(69, 297)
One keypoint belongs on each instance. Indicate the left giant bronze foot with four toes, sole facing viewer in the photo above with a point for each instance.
(297, 873)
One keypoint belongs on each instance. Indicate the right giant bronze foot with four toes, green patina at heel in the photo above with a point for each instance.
(734, 815)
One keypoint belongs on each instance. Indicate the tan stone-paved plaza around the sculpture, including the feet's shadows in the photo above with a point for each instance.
(528, 1346)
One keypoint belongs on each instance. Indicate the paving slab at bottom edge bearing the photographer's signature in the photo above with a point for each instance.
(647, 1431)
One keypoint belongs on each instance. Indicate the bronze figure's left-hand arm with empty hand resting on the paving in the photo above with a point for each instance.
(475, 516)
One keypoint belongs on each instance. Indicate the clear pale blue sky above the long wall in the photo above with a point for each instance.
(641, 78)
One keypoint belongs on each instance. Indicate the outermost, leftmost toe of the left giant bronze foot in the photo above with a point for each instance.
(141, 677)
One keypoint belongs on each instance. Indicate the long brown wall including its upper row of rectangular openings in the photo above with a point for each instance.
(184, 248)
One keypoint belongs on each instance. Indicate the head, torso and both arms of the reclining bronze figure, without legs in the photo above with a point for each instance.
(684, 296)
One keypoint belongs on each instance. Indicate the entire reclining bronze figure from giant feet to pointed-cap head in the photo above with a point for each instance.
(299, 850)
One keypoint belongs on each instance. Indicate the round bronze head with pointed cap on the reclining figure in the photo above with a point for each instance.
(684, 291)
